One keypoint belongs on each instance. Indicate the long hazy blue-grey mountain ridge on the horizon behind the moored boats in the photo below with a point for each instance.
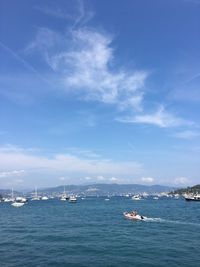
(106, 189)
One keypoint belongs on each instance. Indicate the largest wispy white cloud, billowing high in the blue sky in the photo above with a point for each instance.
(85, 64)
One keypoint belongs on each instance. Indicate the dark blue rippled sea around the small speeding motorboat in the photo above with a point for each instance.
(93, 232)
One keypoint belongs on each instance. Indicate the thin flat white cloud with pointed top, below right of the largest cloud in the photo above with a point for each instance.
(160, 118)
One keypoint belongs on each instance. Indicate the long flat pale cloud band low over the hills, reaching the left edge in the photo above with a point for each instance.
(65, 163)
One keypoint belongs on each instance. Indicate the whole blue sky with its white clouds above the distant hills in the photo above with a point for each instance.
(99, 91)
